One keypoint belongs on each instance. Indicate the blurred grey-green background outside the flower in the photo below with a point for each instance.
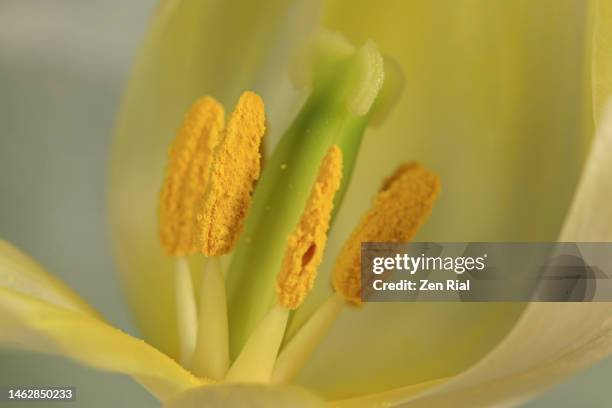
(63, 67)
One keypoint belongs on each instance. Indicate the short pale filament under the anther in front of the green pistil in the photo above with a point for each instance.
(256, 360)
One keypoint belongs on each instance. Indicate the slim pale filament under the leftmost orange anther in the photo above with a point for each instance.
(187, 319)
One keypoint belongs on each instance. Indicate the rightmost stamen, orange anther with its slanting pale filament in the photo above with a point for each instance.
(402, 205)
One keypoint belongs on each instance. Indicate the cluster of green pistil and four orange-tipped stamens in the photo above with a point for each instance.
(235, 333)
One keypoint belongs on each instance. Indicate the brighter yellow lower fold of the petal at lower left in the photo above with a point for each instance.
(38, 326)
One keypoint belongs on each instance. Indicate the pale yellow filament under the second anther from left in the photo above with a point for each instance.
(211, 356)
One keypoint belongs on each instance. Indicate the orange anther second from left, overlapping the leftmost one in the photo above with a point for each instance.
(235, 168)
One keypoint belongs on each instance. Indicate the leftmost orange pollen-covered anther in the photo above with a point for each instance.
(189, 161)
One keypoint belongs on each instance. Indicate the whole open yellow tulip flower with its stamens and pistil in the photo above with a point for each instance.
(242, 273)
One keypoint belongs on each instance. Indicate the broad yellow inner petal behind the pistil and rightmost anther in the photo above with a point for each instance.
(480, 81)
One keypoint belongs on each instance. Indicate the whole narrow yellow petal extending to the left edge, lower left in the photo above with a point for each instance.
(39, 313)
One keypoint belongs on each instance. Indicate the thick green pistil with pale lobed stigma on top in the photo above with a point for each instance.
(349, 87)
